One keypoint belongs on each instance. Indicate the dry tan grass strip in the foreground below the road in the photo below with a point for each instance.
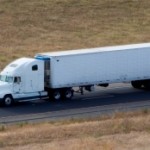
(106, 133)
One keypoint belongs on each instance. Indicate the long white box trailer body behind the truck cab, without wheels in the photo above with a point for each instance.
(99, 65)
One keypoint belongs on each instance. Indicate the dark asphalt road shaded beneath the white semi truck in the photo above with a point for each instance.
(117, 97)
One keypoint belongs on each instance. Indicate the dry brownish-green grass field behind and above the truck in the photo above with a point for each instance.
(28, 27)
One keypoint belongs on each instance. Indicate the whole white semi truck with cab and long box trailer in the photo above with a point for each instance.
(54, 75)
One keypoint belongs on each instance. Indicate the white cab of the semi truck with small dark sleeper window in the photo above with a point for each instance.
(22, 80)
